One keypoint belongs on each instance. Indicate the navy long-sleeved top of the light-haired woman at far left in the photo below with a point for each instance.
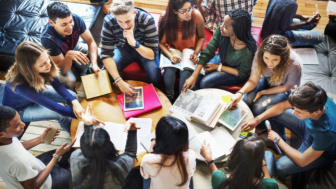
(24, 93)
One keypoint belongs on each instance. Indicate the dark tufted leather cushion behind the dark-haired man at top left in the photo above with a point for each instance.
(22, 20)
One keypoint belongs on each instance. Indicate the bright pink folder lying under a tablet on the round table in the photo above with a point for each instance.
(151, 102)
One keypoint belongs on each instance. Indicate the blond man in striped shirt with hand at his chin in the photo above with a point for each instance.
(129, 34)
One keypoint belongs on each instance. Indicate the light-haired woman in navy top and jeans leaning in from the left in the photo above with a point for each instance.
(26, 90)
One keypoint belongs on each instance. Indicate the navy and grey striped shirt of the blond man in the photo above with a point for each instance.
(113, 35)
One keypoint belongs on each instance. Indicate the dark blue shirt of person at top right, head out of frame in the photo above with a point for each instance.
(279, 15)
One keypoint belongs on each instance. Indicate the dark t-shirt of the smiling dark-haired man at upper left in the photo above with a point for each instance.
(56, 43)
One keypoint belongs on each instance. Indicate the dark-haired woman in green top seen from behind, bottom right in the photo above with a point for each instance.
(246, 166)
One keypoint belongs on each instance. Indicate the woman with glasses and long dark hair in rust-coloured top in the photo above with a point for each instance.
(188, 33)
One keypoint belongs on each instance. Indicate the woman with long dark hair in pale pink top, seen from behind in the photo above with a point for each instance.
(170, 164)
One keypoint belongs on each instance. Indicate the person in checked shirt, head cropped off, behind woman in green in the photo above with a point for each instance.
(215, 10)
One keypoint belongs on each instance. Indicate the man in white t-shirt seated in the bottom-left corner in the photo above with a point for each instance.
(19, 168)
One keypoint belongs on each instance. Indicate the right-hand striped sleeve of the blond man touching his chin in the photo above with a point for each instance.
(151, 39)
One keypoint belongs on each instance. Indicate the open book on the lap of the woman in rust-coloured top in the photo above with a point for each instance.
(185, 63)
